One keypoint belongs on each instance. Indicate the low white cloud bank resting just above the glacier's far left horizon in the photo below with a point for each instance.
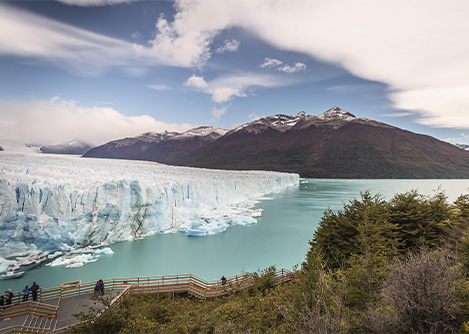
(57, 120)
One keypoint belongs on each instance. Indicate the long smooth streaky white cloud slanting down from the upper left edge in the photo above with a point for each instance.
(29, 35)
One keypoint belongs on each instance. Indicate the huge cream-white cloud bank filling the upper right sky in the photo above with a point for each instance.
(418, 48)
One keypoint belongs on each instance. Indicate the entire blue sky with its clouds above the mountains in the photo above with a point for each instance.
(105, 69)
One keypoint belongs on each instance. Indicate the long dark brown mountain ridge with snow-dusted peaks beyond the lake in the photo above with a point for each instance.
(334, 144)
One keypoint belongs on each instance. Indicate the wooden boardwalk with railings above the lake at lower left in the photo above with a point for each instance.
(52, 313)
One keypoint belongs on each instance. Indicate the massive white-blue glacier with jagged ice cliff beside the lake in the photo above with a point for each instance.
(51, 203)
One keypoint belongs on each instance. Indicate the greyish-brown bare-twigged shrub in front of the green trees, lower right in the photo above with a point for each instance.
(419, 296)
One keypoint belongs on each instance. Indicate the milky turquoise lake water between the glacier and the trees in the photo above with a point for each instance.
(279, 238)
